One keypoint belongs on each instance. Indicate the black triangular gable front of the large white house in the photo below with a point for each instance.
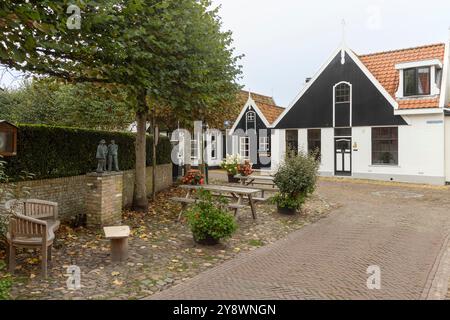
(314, 109)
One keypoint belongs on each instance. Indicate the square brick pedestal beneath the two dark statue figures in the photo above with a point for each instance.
(104, 199)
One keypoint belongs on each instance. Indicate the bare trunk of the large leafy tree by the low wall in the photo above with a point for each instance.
(140, 202)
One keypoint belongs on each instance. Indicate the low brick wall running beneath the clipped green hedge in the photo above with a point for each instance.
(70, 193)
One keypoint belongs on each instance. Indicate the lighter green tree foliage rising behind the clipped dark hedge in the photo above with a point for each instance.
(52, 102)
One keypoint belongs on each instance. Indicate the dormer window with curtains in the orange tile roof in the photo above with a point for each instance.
(417, 81)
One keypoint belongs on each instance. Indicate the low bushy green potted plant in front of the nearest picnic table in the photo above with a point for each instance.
(209, 221)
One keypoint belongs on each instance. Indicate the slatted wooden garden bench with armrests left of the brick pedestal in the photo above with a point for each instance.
(31, 225)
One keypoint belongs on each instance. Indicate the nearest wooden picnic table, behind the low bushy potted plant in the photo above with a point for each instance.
(239, 194)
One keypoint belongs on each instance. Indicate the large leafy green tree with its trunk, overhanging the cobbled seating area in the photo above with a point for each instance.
(166, 52)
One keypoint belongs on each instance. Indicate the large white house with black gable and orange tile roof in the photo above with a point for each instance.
(382, 116)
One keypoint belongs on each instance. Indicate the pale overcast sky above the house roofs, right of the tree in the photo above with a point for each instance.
(285, 41)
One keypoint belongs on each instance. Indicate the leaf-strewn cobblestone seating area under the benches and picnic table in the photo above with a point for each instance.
(157, 240)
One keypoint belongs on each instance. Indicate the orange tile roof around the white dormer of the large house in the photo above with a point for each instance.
(382, 66)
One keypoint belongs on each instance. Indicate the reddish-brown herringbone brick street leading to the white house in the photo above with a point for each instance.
(399, 228)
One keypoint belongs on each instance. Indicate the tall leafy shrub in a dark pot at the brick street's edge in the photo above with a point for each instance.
(296, 179)
